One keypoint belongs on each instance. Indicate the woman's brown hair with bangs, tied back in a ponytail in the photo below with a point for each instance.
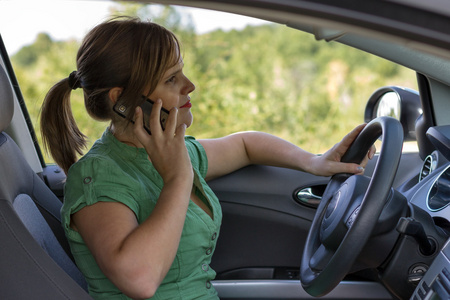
(122, 52)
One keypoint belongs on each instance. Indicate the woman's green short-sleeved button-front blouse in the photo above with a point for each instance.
(114, 171)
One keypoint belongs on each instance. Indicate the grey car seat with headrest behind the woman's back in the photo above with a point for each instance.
(35, 261)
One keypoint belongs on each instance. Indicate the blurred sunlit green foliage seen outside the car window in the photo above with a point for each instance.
(268, 78)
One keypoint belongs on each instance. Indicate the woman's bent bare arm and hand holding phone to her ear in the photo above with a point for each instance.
(136, 258)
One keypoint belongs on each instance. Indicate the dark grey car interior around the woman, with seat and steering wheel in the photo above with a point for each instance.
(274, 241)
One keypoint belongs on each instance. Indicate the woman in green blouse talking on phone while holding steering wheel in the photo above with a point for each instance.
(138, 214)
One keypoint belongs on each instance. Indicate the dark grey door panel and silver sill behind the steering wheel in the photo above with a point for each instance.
(263, 232)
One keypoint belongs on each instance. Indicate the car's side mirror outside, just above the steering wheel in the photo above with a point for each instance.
(397, 102)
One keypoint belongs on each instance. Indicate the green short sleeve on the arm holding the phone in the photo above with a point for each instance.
(93, 180)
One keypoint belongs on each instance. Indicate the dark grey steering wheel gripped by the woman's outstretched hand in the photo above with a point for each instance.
(343, 222)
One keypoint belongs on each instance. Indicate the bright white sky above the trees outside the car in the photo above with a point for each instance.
(17, 30)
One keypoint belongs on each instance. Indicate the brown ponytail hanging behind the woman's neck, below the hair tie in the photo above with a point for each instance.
(60, 133)
